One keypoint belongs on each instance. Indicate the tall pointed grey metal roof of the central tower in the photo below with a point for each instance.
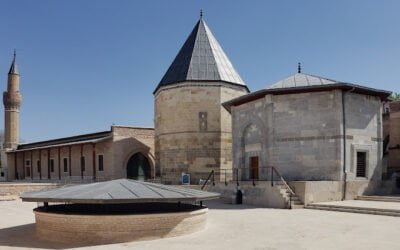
(201, 58)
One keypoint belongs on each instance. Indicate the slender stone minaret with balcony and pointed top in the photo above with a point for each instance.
(12, 100)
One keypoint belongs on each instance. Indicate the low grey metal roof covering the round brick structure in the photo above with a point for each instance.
(119, 191)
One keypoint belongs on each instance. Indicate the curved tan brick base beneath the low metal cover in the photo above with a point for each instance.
(102, 229)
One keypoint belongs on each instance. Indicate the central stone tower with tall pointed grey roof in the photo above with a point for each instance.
(193, 133)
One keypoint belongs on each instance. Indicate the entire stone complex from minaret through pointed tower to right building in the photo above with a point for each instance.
(320, 134)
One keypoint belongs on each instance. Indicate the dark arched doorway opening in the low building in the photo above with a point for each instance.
(138, 167)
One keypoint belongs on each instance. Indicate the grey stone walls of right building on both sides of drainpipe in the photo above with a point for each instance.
(302, 134)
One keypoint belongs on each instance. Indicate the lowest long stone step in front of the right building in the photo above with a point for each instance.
(360, 210)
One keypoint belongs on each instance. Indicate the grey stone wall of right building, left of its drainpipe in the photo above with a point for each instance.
(299, 134)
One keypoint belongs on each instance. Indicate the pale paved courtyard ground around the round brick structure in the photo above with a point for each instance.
(234, 227)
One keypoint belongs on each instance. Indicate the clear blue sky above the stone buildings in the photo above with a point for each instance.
(88, 64)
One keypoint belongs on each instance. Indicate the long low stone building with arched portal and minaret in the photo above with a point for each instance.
(122, 151)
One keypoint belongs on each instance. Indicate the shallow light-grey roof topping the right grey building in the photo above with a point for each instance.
(301, 80)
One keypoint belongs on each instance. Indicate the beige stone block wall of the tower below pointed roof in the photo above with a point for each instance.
(193, 130)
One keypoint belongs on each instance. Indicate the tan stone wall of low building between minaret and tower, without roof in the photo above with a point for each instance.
(116, 151)
